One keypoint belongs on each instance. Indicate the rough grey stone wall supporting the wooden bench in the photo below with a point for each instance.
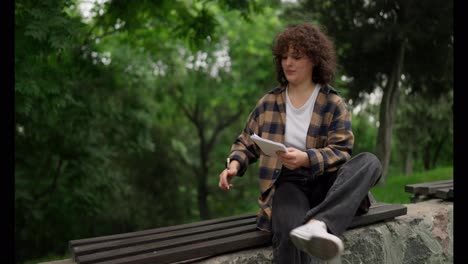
(424, 235)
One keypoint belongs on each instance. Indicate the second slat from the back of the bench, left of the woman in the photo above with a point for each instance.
(90, 248)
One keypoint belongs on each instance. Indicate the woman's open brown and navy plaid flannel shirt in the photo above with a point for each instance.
(329, 141)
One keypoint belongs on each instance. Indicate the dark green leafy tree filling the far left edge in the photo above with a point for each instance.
(58, 162)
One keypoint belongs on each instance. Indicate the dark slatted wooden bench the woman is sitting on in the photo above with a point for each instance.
(198, 240)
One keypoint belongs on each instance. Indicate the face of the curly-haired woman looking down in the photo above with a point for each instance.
(297, 67)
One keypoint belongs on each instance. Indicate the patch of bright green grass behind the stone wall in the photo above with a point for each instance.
(393, 191)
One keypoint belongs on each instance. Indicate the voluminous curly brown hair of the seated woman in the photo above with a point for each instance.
(309, 40)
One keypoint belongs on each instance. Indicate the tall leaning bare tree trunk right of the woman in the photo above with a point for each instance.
(387, 112)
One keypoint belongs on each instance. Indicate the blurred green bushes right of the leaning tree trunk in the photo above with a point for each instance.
(424, 130)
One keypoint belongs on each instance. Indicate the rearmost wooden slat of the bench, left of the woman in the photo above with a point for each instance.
(84, 241)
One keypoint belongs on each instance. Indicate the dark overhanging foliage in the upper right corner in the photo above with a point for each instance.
(368, 33)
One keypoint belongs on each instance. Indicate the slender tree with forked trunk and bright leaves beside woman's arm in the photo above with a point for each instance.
(214, 90)
